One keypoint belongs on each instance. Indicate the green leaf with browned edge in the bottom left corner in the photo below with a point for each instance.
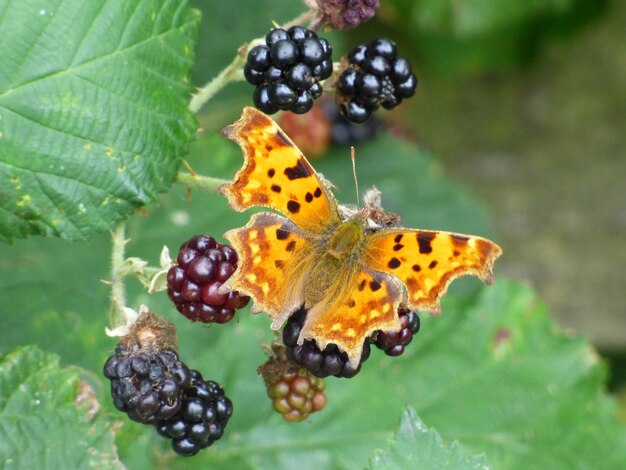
(42, 424)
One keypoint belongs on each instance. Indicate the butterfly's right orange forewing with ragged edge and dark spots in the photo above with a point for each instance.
(427, 261)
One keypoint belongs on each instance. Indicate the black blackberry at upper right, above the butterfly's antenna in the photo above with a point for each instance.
(376, 76)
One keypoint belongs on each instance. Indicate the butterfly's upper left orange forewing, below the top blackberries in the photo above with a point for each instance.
(276, 174)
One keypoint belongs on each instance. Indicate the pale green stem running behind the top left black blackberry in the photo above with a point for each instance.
(234, 70)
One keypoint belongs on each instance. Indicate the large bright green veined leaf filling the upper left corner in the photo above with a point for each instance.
(93, 110)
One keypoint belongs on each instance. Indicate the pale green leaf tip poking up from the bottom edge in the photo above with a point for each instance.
(417, 447)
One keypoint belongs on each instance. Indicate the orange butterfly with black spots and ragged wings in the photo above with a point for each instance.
(351, 272)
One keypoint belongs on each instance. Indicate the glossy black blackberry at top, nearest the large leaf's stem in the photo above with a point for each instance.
(288, 69)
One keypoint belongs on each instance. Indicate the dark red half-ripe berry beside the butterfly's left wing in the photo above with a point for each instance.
(203, 265)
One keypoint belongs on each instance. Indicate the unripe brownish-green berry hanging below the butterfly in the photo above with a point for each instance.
(294, 391)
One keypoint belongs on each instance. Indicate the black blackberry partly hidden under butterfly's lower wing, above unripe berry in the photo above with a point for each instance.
(330, 361)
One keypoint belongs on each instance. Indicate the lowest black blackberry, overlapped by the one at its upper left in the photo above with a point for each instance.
(201, 419)
